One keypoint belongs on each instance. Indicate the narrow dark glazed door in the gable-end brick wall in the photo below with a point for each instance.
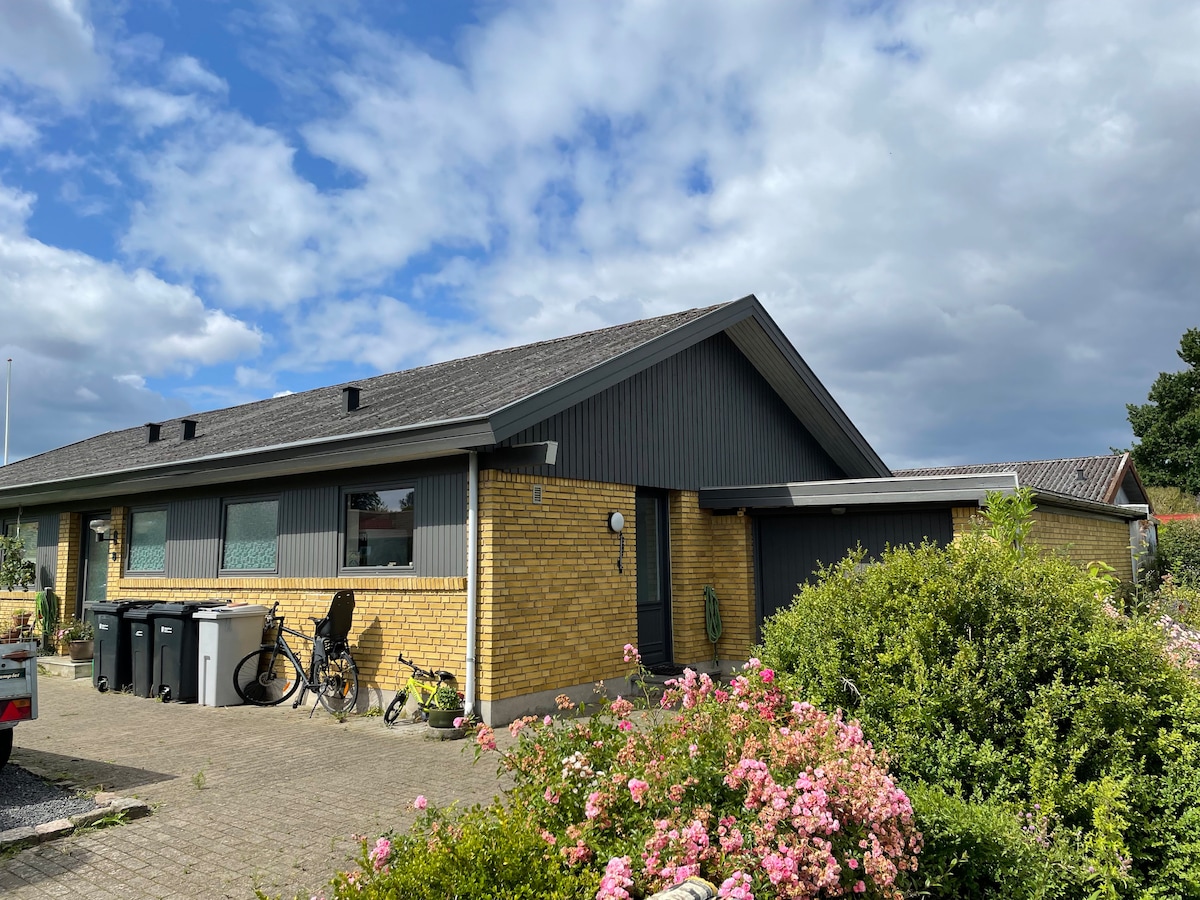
(653, 579)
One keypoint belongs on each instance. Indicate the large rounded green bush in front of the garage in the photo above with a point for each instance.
(1005, 681)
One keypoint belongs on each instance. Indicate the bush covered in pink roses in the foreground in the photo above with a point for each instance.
(737, 784)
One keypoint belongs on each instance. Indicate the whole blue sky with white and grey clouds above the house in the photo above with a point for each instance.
(979, 223)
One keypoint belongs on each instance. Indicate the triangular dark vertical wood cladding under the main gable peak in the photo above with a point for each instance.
(704, 418)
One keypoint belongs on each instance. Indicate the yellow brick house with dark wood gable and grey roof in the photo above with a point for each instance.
(470, 505)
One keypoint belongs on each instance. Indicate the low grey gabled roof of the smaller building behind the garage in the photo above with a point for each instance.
(1100, 479)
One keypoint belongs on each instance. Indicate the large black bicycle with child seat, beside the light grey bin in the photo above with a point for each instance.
(271, 675)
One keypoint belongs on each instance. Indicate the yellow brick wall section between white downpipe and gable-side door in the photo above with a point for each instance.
(554, 610)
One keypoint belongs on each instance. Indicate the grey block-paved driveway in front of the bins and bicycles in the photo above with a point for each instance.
(243, 797)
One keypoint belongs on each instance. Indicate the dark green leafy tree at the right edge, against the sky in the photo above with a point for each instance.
(1169, 425)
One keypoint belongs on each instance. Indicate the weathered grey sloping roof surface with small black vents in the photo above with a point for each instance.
(458, 389)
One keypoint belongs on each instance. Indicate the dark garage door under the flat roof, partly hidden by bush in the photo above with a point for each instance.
(793, 547)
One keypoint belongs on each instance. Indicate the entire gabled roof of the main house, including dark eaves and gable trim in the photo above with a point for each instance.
(431, 411)
